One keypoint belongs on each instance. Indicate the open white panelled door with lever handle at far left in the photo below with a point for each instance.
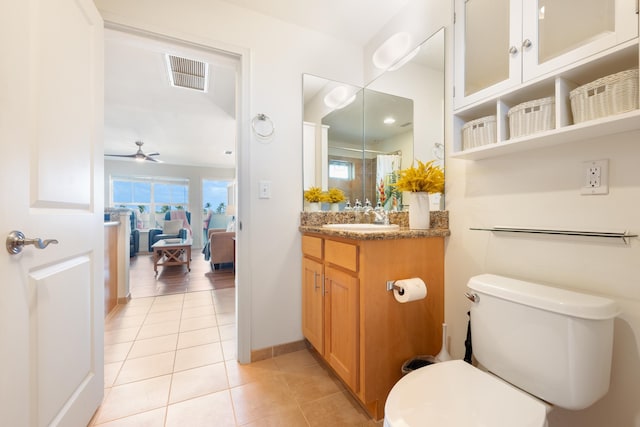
(51, 300)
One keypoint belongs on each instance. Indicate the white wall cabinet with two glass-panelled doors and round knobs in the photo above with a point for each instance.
(500, 44)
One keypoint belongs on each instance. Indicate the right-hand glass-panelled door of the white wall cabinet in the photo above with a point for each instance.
(560, 33)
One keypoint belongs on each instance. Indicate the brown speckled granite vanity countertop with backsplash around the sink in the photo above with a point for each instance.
(311, 222)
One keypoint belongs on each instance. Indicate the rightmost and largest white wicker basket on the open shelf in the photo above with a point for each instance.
(609, 95)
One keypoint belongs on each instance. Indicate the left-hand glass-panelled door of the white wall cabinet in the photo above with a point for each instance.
(488, 35)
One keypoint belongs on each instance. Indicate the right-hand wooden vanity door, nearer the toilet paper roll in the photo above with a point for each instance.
(341, 325)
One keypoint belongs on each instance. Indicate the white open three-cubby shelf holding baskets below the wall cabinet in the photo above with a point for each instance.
(558, 84)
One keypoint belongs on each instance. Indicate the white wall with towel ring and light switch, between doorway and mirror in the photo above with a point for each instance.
(279, 54)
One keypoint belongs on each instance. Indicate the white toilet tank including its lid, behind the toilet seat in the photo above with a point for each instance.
(553, 343)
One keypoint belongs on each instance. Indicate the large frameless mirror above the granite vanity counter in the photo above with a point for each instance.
(348, 145)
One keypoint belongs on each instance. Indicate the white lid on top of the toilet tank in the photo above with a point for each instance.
(544, 297)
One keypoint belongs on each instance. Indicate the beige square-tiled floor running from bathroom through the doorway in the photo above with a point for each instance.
(170, 361)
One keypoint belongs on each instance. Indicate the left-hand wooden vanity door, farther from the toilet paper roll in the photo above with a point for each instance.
(312, 303)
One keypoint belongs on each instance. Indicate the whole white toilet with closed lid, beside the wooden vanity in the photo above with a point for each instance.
(541, 347)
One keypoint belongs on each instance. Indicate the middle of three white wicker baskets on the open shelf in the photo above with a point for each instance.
(532, 116)
